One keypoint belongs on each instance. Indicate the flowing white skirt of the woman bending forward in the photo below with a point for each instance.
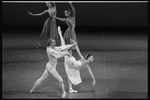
(73, 74)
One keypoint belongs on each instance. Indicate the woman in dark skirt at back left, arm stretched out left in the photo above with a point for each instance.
(50, 26)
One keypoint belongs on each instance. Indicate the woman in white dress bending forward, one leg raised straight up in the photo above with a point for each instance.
(72, 66)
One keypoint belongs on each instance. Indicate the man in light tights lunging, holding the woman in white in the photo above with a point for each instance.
(53, 52)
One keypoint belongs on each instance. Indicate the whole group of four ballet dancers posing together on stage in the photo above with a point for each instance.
(68, 43)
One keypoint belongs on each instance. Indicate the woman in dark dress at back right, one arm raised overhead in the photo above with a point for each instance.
(70, 21)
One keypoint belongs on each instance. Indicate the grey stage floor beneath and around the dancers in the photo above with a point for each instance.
(120, 67)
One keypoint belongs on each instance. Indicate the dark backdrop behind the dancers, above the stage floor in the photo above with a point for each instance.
(89, 16)
